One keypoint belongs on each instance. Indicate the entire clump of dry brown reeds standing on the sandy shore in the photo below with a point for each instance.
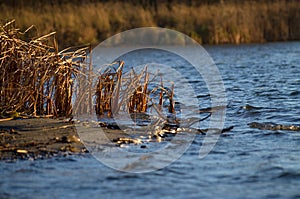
(37, 79)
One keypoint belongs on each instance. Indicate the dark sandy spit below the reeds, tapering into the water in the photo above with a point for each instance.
(40, 138)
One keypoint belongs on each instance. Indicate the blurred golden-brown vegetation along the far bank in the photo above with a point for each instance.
(80, 22)
